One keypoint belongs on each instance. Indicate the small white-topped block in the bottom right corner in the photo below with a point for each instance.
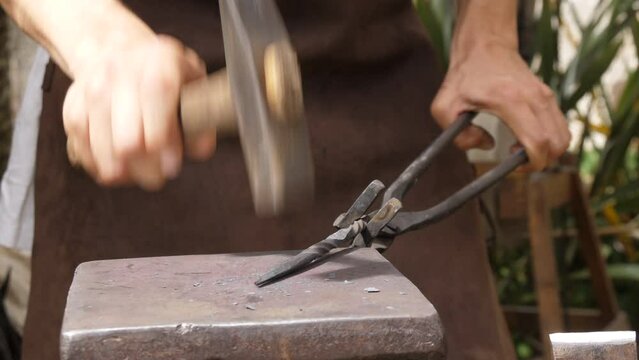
(615, 345)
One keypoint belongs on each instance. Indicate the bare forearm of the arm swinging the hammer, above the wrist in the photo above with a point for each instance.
(75, 31)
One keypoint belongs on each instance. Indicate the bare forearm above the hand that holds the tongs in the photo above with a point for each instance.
(484, 22)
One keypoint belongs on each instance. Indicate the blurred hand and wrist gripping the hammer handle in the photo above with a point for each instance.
(120, 113)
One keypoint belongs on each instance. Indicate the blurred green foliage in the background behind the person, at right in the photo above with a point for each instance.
(606, 145)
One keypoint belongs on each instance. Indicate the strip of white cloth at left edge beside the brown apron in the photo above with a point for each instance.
(17, 187)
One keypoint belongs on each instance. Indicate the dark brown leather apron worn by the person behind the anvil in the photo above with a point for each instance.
(369, 76)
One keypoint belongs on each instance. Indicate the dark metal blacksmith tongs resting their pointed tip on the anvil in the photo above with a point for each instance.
(360, 228)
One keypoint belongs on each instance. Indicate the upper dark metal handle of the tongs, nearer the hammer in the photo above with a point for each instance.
(409, 176)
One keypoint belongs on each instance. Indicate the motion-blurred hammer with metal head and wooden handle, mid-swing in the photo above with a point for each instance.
(259, 94)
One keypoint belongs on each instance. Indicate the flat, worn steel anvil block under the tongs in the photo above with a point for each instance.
(355, 305)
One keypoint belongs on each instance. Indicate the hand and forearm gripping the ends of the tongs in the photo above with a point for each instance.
(486, 73)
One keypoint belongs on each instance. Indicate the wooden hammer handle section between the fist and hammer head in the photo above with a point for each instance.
(206, 105)
